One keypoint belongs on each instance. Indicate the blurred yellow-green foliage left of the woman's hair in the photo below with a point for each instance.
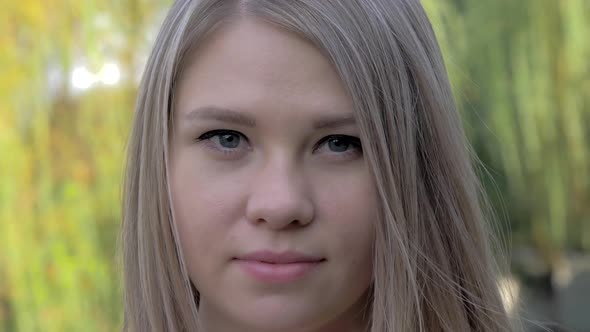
(63, 153)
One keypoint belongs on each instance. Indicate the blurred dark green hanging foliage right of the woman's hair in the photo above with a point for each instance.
(522, 79)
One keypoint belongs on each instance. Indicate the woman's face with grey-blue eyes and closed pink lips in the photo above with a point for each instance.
(274, 202)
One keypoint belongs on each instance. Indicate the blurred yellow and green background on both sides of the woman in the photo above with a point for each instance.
(69, 72)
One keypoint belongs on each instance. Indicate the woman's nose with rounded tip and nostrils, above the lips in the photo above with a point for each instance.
(278, 199)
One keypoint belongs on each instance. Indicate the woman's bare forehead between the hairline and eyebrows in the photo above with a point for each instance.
(253, 65)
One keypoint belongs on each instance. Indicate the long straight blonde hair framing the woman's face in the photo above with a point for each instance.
(433, 266)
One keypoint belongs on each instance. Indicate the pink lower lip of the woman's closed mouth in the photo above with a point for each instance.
(277, 273)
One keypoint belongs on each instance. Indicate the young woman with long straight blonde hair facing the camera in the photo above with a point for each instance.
(299, 165)
